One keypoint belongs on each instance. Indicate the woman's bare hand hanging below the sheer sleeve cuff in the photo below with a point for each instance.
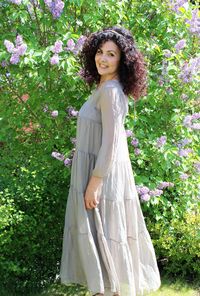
(92, 192)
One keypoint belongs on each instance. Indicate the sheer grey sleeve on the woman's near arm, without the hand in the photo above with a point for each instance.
(111, 115)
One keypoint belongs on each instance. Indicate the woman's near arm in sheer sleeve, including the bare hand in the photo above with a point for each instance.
(111, 113)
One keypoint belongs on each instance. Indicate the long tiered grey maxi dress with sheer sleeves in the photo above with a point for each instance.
(108, 249)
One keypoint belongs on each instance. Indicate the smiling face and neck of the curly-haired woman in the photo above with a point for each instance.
(107, 60)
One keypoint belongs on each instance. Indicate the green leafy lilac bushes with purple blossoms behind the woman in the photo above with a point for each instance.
(39, 100)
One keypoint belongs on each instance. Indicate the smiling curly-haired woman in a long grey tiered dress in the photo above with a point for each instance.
(106, 244)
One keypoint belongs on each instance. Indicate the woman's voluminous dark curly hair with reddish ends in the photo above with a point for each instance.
(132, 67)
